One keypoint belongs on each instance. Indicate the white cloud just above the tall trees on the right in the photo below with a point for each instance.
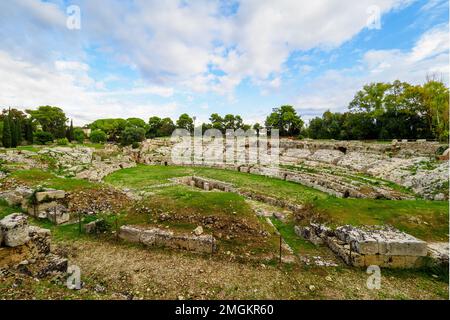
(336, 88)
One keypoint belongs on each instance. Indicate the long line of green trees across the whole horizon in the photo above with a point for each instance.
(378, 111)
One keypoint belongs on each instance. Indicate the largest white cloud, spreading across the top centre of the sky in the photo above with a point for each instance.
(177, 42)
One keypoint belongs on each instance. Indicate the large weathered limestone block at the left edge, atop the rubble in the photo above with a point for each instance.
(15, 230)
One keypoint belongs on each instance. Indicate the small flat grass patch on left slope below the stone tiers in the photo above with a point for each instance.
(36, 177)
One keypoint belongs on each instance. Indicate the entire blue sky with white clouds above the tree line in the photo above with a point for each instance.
(143, 58)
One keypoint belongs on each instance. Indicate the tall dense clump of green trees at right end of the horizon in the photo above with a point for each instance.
(395, 110)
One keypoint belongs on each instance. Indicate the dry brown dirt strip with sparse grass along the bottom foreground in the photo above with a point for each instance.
(123, 272)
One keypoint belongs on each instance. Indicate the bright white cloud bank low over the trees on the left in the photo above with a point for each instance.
(27, 85)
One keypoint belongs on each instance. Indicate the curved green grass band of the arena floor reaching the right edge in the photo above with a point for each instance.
(433, 215)
